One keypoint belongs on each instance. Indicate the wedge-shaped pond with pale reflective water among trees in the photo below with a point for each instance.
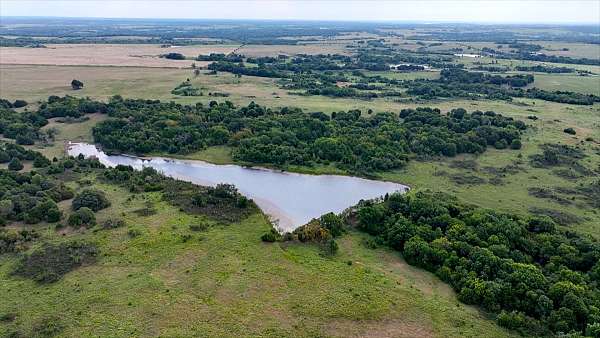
(290, 198)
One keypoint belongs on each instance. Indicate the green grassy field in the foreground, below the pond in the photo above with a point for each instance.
(171, 282)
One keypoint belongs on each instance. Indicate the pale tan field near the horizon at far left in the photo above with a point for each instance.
(107, 55)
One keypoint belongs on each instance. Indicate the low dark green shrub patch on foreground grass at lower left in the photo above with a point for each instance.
(49, 262)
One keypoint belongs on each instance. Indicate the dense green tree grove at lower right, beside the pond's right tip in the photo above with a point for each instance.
(538, 278)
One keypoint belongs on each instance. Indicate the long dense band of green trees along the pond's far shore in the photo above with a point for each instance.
(288, 136)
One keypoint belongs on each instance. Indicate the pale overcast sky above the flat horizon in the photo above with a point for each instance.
(492, 11)
